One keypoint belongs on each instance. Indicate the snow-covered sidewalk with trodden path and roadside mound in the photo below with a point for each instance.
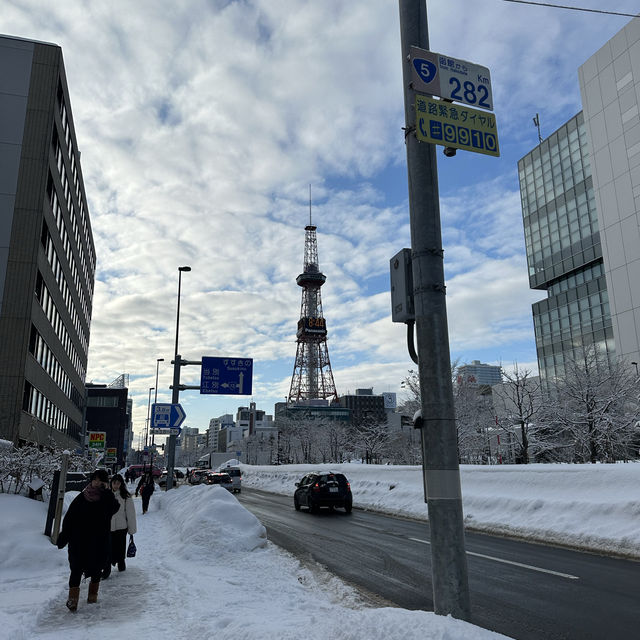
(204, 569)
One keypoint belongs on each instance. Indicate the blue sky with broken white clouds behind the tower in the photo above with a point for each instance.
(202, 126)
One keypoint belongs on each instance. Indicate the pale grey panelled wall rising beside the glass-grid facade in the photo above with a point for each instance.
(609, 86)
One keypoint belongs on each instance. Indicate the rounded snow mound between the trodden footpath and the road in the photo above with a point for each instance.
(207, 519)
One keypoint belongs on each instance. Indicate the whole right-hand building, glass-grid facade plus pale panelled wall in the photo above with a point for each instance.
(580, 192)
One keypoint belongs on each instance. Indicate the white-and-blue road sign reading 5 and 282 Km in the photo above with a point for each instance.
(451, 78)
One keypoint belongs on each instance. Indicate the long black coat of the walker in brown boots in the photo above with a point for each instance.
(86, 528)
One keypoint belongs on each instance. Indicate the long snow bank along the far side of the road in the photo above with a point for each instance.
(595, 507)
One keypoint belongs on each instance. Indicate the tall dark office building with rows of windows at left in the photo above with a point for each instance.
(47, 257)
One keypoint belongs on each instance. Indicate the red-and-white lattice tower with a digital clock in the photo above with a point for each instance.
(312, 376)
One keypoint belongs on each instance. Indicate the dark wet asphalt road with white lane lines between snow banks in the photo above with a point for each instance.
(525, 591)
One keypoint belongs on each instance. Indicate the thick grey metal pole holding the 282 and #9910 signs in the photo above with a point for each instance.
(439, 443)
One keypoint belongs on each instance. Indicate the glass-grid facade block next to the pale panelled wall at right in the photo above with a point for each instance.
(563, 245)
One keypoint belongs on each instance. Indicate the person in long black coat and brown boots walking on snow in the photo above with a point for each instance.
(86, 528)
